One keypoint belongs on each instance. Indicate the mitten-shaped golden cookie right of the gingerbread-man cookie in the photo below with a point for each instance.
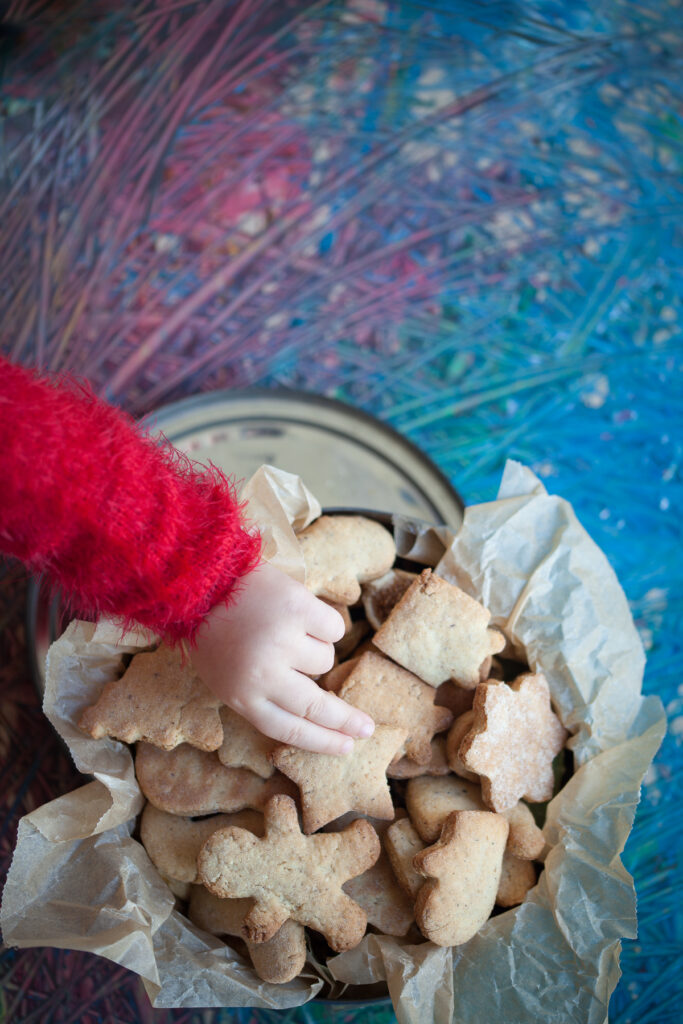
(463, 871)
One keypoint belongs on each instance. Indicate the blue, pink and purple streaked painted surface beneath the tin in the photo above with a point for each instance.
(465, 219)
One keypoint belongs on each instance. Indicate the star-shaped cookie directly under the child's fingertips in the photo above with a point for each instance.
(331, 785)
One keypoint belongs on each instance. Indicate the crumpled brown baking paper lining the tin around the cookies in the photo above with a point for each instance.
(79, 881)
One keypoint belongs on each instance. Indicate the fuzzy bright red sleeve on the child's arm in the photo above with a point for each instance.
(122, 526)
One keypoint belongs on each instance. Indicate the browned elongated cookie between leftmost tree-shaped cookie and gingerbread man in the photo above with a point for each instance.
(189, 782)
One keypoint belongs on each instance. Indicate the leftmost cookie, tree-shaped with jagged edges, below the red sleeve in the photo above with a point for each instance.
(159, 699)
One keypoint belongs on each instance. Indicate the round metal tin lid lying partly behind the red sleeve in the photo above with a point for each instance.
(347, 458)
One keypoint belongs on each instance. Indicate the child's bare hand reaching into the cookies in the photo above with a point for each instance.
(257, 656)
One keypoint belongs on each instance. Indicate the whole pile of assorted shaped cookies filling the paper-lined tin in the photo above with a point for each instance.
(420, 833)
